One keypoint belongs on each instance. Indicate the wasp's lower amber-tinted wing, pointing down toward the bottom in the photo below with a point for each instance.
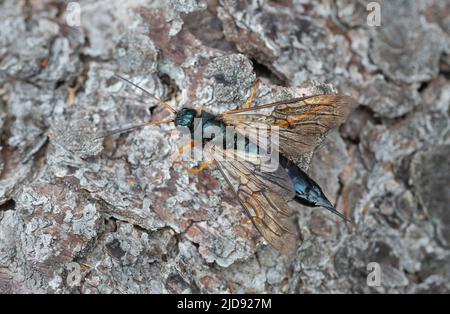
(264, 196)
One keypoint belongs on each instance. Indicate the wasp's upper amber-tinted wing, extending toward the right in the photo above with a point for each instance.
(302, 122)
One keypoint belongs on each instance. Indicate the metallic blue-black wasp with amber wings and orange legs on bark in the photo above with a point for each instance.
(301, 123)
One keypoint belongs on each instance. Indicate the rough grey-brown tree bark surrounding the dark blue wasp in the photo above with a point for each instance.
(117, 216)
